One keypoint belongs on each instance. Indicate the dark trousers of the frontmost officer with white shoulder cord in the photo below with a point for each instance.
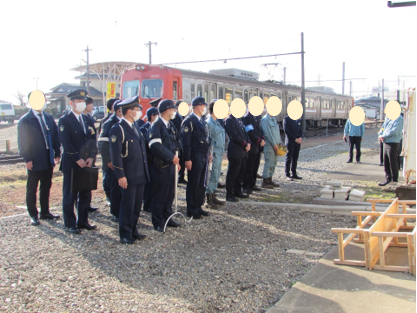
(130, 210)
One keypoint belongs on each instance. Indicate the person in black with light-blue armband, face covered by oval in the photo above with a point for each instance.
(253, 129)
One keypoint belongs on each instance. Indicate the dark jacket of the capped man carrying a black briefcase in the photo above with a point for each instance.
(77, 144)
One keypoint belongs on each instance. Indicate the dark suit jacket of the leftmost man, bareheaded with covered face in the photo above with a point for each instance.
(31, 141)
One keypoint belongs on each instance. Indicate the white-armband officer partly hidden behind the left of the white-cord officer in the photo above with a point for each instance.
(115, 195)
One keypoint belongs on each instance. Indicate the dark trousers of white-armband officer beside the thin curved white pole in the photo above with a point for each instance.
(163, 195)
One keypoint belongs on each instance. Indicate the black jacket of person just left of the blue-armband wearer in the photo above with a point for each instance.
(238, 139)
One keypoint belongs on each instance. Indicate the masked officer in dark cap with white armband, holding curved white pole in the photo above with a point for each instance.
(163, 144)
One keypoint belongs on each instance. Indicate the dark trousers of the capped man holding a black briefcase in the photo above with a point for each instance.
(81, 199)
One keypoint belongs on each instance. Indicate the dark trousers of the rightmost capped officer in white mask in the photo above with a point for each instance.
(196, 189)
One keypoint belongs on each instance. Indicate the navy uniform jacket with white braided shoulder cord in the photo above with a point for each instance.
(128, 153)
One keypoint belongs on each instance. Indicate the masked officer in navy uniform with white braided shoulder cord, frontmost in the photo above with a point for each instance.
(128, 157)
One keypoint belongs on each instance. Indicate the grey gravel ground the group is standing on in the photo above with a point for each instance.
(233, 261)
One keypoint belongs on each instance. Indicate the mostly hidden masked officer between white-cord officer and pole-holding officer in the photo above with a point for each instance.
(151, 115)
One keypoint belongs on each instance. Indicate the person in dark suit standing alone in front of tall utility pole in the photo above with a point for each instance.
(293, 139)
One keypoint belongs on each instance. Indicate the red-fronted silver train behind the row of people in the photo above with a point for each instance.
(159, 81)
